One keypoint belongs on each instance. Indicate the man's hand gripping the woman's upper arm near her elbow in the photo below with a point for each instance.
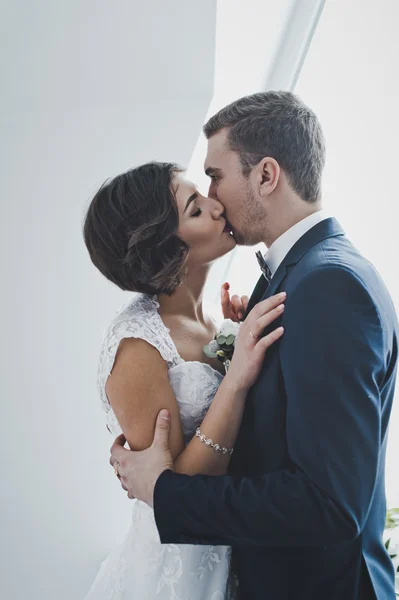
(139, 471)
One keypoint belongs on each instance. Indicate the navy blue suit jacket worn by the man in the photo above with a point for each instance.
(303, 504)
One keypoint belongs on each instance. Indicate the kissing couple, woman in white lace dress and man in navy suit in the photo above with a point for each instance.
(294, 507)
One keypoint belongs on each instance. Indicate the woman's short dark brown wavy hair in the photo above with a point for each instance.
(130, 230)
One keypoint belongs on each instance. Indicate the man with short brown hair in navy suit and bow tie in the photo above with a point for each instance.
(303, 505)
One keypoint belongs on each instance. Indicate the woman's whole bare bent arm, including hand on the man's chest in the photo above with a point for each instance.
(139, 388)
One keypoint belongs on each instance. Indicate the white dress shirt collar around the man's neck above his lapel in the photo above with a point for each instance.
(282, 245)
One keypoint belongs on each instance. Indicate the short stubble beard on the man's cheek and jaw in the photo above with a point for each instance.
(253, 222)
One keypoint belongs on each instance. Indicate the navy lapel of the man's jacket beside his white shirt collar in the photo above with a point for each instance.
(323, 230)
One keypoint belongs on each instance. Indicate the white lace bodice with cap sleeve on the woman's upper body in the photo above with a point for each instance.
(194, 383)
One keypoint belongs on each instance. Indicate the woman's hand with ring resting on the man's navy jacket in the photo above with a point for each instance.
(250, 347)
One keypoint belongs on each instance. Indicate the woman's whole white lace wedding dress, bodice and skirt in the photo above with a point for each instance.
(142, 568)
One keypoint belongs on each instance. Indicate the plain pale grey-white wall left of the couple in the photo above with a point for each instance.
(88, 89)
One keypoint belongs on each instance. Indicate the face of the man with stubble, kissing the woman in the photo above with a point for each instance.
(243, 210)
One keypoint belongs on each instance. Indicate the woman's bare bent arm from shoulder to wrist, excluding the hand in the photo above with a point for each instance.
(139, 388)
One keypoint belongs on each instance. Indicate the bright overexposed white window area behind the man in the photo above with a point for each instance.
(350, 79)
